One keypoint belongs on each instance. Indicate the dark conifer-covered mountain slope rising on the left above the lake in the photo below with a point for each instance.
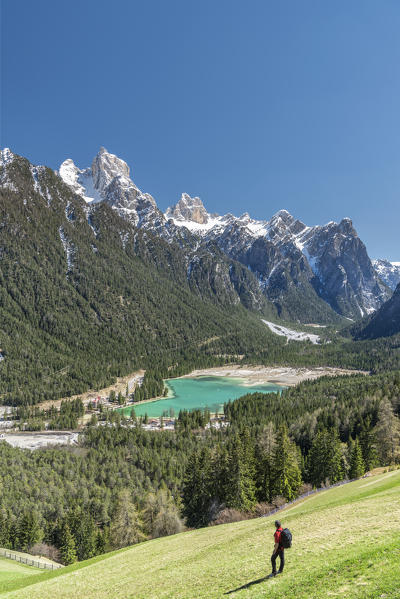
(85, 296)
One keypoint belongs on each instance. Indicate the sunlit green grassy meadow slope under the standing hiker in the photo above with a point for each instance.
(346, 544)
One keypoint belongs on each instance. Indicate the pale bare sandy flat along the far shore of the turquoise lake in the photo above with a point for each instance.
(280, 375)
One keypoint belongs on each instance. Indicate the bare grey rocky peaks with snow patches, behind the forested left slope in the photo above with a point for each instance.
(318, 273)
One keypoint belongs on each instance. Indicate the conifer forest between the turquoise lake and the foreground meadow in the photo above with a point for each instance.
(320, 431)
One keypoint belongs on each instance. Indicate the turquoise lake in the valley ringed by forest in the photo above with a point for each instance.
(210, 392)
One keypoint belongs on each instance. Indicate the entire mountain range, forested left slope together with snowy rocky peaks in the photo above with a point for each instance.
(96, 281)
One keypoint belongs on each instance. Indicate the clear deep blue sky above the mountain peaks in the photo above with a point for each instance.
(252, 105)
